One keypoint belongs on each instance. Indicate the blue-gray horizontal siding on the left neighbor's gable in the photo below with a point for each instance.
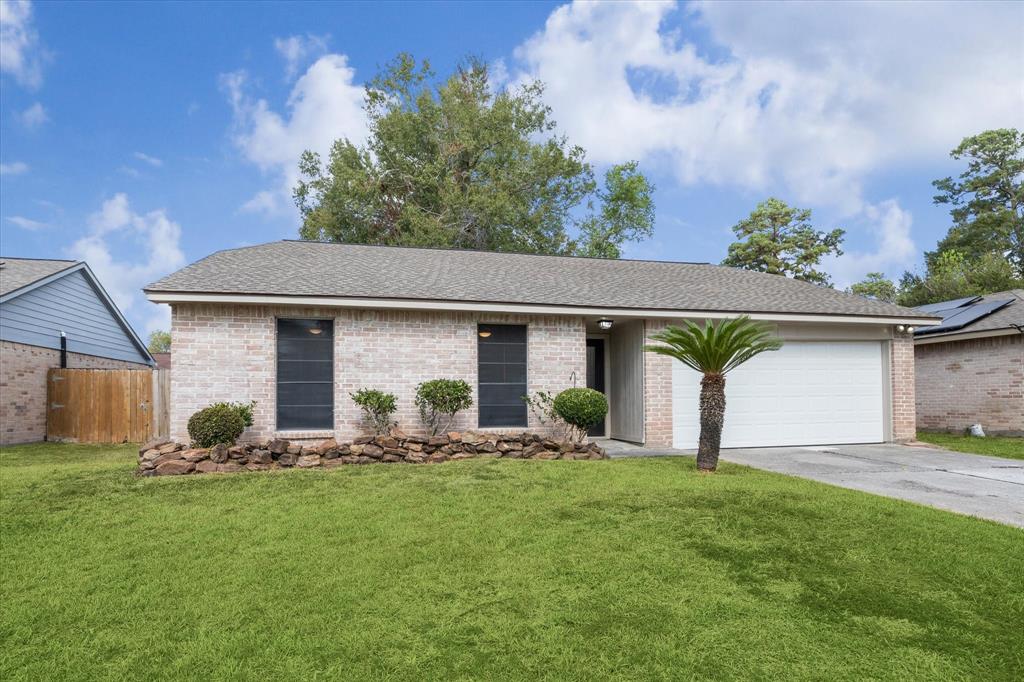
(69, 305)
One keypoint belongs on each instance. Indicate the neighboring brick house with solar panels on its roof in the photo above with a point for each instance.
(971, 367)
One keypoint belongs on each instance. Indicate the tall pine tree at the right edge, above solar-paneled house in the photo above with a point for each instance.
(988, 199)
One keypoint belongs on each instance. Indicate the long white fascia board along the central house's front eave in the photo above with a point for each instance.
(523, 309)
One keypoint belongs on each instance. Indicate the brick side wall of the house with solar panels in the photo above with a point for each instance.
(979, 381)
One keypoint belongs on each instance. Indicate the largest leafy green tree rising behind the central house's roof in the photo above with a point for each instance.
(461, 163)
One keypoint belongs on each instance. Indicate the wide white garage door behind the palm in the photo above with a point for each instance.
(807, 394)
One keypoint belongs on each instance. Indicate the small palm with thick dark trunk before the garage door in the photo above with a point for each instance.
(714, 351)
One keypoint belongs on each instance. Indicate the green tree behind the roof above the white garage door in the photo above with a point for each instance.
(780, 239)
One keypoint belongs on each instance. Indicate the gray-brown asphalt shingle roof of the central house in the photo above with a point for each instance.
(314, 269)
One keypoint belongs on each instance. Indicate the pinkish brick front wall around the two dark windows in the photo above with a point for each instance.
(228, 353)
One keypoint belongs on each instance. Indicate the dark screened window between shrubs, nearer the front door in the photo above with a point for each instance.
(502, 375)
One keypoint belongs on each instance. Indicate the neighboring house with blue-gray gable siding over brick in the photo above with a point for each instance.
(54, 314)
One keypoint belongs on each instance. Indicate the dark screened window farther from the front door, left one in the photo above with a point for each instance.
(306, 374)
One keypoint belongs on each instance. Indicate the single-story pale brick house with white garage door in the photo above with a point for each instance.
(297, 326)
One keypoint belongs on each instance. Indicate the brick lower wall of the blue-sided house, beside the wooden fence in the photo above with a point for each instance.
(23, 388)
